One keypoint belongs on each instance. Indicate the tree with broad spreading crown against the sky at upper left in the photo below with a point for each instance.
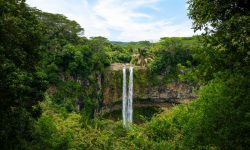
(58, 30)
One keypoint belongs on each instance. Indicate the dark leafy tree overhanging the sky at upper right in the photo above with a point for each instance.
(226, 34)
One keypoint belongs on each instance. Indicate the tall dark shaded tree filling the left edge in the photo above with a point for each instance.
(22, 82)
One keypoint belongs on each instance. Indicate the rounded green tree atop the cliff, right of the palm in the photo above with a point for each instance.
(169, 52)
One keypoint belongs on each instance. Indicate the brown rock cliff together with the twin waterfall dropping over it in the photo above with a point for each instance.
(148, 93)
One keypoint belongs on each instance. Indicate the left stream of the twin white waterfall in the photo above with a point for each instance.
(124, 97)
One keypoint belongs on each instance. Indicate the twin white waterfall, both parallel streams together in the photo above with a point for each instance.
(127, 98)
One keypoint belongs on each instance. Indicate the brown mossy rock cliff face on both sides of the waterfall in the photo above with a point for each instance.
(147, 89)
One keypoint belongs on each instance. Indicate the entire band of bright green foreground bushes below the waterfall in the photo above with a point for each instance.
(218, 119)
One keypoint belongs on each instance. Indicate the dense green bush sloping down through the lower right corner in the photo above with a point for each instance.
(218, 119)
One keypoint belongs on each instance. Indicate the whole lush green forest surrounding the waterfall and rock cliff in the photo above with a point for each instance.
(52, 82)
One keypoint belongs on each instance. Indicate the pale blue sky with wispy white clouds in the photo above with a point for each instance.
(124, 20)
